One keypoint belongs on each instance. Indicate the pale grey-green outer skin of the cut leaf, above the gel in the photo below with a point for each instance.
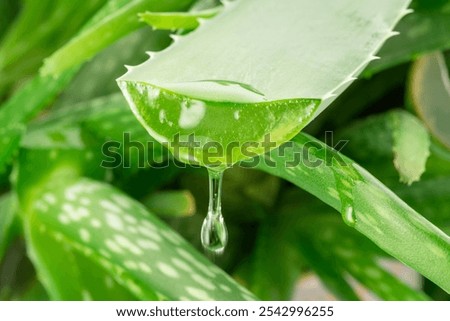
(319, 63)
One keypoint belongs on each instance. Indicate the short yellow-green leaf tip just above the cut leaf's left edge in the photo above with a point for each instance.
(177, 20)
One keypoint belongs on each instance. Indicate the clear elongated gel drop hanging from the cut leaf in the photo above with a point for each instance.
(214, 233)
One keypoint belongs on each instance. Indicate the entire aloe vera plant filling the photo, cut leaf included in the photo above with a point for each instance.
(82, 181)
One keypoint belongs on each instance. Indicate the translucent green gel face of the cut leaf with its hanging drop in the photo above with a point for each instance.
(215, 124)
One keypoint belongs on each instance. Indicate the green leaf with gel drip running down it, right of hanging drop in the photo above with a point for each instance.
(367, 205)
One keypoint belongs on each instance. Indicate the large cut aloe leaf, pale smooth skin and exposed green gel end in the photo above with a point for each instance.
(255, 55)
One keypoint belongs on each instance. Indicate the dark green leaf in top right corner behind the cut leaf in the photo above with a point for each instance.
(427, 29)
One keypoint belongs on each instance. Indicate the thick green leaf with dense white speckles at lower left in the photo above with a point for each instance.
(105, 245)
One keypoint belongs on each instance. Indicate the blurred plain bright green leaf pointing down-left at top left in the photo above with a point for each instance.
(113, 22)
